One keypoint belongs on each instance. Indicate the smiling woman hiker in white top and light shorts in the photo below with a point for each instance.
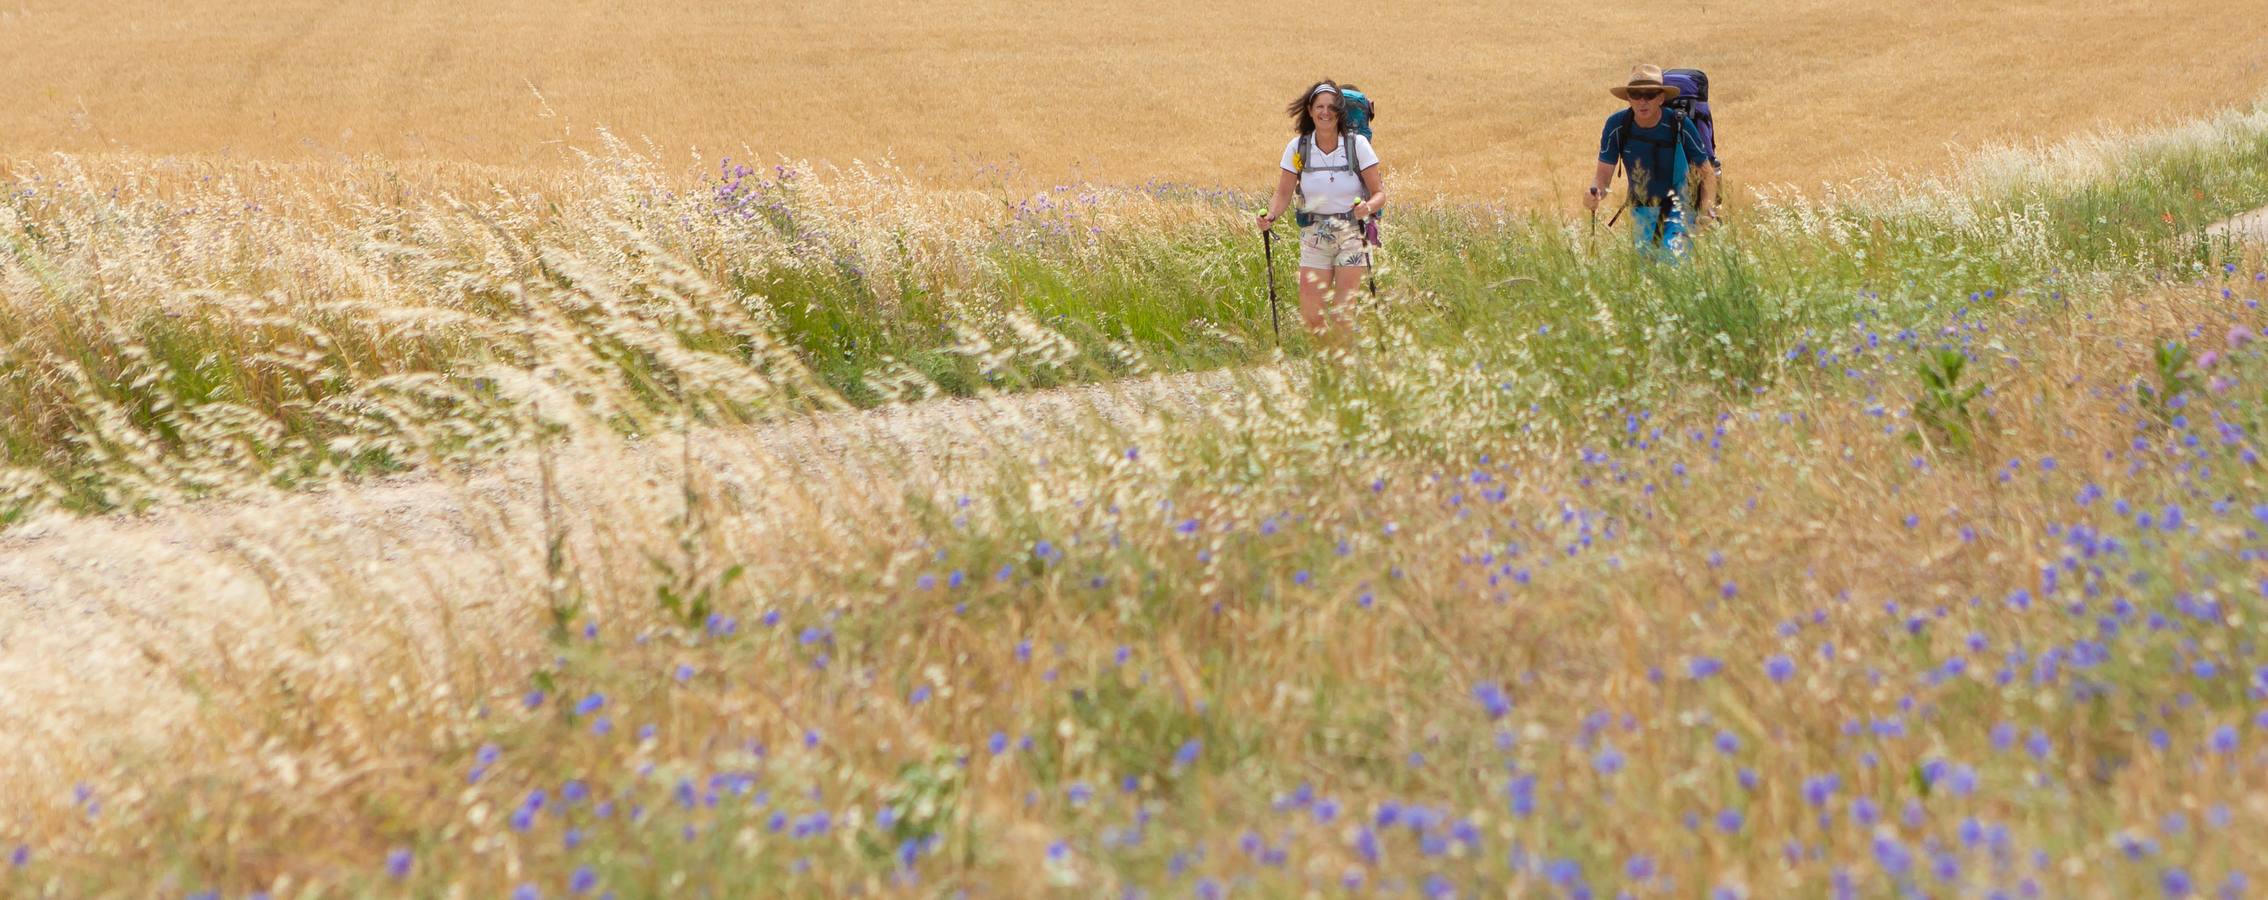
(1335, 176)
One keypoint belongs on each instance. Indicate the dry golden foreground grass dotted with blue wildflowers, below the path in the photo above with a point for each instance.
(849, 674)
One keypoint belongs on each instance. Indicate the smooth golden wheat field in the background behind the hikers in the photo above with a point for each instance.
(1478, 99)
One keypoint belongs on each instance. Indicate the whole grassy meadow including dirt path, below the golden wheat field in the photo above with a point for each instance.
(384, 527)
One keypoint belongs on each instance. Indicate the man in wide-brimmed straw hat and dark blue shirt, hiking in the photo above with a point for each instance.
(1657, 148)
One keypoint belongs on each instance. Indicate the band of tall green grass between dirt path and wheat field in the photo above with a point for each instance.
(863, 303)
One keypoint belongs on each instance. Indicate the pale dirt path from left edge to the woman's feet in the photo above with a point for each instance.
(94, 609)
